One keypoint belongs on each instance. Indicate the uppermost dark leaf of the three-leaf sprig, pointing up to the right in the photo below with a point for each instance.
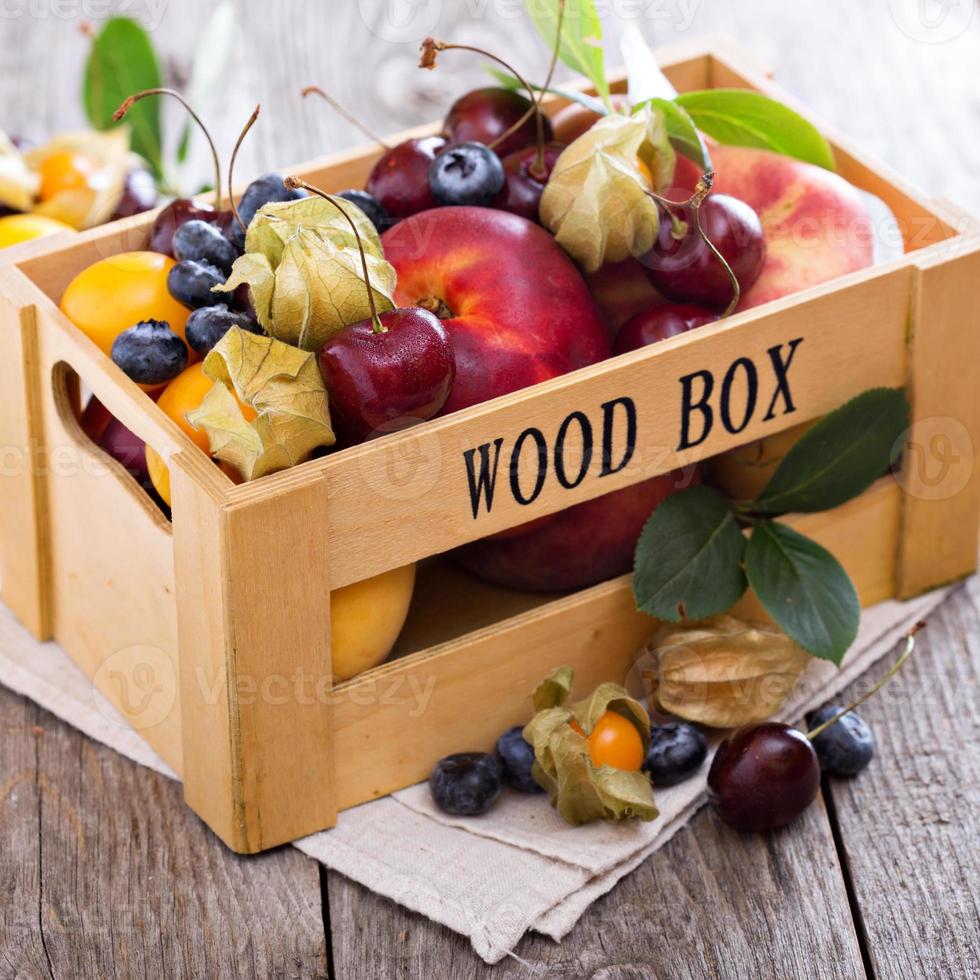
(840, 457)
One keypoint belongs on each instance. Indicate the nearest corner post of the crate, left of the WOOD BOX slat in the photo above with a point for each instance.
(253, 615)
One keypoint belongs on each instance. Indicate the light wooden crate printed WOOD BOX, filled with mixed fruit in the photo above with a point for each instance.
(211, 634)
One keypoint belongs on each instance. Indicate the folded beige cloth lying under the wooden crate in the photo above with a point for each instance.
(491, 878)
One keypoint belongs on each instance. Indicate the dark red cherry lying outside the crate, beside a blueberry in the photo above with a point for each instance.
(763, 776)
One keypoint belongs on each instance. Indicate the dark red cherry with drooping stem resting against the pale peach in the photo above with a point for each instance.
(685, 269)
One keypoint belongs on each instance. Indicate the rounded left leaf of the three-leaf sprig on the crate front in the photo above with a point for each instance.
(688, 558)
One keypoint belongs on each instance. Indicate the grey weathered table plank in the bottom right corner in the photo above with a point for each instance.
(909, 825)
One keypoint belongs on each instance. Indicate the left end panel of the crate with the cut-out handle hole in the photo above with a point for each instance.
(111, 566)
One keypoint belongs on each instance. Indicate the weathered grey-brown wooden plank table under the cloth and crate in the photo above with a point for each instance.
(104, 872)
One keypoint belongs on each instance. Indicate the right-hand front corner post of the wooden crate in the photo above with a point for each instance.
(940, 472)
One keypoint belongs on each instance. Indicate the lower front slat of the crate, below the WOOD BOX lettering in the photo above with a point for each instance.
(393, 723)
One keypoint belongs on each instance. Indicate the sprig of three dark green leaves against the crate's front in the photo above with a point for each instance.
(694, 561)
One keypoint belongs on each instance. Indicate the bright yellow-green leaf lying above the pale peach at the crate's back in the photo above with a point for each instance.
(743, 118)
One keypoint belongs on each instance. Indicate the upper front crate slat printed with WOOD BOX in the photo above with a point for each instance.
(417, 493)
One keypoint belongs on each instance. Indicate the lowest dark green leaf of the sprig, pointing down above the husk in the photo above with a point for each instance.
(804, 588)
